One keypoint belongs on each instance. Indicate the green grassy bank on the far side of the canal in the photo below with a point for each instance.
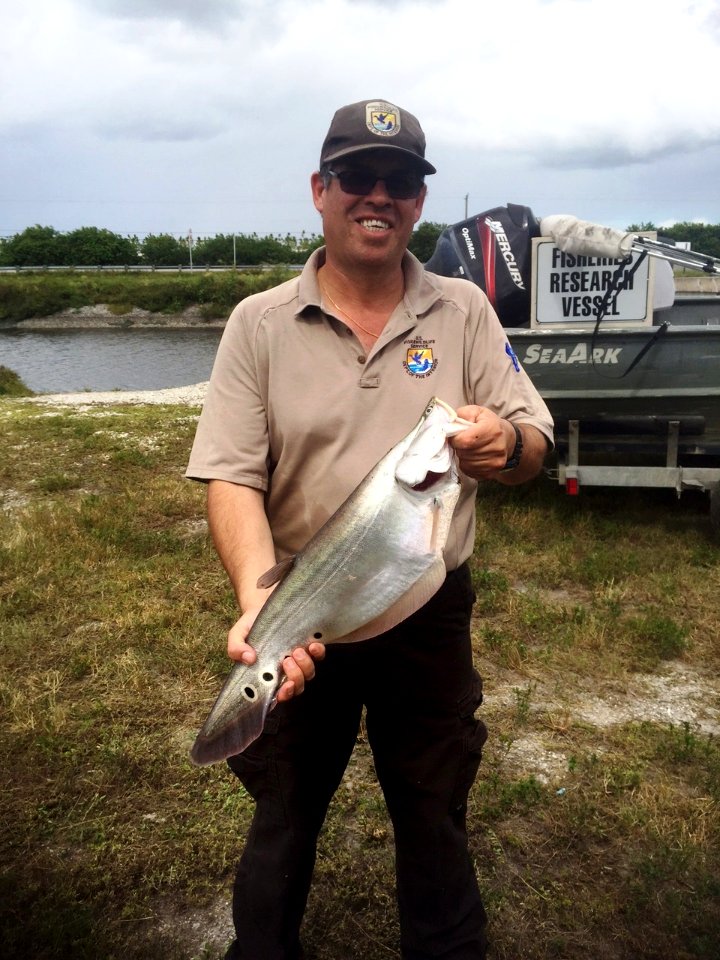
(41, 294)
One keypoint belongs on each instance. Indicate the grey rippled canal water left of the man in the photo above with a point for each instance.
(58, 361)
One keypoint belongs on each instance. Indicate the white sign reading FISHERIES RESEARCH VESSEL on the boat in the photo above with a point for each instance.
(568, 290)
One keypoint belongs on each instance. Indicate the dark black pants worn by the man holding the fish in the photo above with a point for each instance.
(420, 690)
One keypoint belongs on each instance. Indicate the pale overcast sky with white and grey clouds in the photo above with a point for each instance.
(165, 116)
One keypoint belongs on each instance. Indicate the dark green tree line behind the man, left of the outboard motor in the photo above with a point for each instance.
(40, 246)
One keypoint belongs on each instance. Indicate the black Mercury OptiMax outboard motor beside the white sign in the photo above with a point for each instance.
(493, 250)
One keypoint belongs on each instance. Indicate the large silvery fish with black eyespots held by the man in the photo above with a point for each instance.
(374, 562)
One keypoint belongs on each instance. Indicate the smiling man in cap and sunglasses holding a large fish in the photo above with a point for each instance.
(314, 381)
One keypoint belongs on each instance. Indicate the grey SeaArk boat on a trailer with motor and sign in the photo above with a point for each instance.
(629, 369)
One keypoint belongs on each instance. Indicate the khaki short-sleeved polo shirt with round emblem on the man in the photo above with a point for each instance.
(296, 408)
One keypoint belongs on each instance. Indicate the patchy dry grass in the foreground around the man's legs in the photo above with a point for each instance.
(594, 824)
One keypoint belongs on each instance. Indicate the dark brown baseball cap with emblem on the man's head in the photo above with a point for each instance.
(373, 125)
